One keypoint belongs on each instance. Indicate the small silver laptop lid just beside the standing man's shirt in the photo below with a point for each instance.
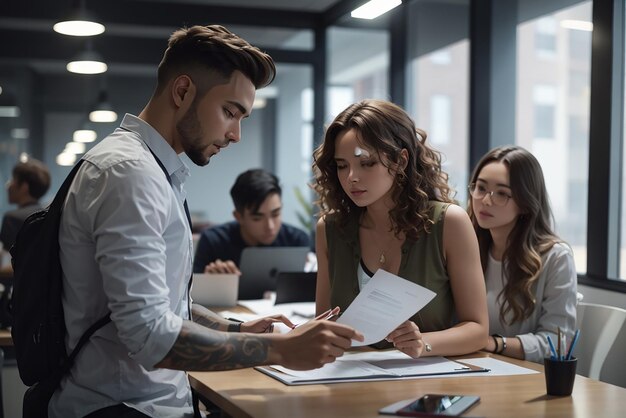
(215, 290)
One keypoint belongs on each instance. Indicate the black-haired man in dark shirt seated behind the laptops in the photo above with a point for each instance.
(256, 195)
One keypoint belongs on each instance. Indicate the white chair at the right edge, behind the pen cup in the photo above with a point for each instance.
(602, 343)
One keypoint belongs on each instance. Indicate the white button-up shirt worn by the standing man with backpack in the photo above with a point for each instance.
(126, 247)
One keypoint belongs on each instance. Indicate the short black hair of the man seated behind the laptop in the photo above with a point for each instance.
(251, 189)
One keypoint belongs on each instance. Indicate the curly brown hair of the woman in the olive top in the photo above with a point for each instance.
(387, 129)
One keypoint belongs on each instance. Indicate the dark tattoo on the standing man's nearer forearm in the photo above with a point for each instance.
(198, 349)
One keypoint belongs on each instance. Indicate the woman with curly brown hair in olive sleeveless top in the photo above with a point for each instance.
(385, 204)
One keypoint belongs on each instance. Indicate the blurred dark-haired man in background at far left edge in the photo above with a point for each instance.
(30, 181)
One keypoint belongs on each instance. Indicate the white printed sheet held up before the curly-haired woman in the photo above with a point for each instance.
(384, 303)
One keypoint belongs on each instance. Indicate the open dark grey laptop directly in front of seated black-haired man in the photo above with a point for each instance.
(260, 266)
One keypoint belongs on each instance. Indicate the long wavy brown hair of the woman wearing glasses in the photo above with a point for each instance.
(531, 237)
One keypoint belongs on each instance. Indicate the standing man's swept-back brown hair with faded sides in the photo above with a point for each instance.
(199, 50)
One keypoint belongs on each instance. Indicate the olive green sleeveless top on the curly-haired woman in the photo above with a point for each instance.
(422, 262)
